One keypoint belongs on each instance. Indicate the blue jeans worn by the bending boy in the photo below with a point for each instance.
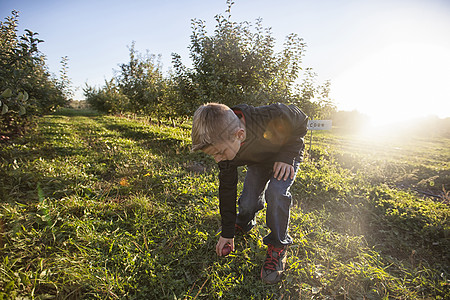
(261, 187)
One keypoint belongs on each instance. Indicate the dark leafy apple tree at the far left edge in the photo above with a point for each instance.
(26, 86)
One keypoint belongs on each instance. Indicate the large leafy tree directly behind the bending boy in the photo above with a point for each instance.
(238, 64)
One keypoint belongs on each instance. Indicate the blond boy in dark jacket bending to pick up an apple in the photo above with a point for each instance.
(269, 140)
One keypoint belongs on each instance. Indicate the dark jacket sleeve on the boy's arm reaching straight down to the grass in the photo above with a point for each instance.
(228, 179)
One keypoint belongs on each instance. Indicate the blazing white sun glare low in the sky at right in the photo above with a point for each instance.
(399, 82)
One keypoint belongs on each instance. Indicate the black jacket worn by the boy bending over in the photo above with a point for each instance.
(274, 133)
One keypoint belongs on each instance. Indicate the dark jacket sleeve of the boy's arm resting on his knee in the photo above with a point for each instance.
(294, 145)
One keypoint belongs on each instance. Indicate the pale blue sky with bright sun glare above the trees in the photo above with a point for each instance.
(388, 59)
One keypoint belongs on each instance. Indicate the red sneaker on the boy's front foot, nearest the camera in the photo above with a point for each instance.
(273, 267)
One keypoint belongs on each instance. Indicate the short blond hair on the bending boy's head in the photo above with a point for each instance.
(213, 123)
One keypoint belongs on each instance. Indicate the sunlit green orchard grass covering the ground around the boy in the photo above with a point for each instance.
(102, 207)
